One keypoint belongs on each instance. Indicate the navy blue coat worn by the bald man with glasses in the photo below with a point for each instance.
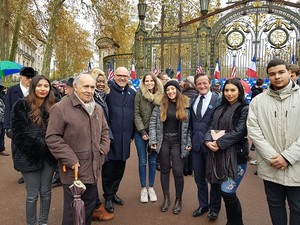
(121, 112)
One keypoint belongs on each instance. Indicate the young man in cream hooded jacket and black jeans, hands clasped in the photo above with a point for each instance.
(273, 125)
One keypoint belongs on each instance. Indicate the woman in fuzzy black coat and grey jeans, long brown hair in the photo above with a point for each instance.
(31, 155)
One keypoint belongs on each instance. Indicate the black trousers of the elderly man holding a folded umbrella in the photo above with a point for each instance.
(89, 197)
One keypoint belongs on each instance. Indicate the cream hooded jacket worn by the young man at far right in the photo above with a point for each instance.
(273, 125)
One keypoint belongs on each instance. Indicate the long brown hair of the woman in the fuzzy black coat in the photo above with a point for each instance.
(49, 100)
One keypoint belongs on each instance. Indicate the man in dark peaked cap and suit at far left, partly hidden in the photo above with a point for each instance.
(13, 94)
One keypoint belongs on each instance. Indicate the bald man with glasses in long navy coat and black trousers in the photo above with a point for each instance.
(120, 102)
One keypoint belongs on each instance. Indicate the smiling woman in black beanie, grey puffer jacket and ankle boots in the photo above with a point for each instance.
(170, 136)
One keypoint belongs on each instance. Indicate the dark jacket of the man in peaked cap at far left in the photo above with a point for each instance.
(13, 94)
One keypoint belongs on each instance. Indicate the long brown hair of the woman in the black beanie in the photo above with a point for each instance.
(181, 102)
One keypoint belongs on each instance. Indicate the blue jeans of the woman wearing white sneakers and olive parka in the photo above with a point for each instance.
(141, 146)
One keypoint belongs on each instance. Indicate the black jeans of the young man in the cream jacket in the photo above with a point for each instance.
(277, 195)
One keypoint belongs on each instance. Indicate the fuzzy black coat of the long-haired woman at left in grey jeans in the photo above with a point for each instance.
(30, 149)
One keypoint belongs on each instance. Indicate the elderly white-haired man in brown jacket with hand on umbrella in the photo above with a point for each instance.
(77, 136)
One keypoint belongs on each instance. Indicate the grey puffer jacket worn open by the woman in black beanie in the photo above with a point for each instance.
(156, 129)
